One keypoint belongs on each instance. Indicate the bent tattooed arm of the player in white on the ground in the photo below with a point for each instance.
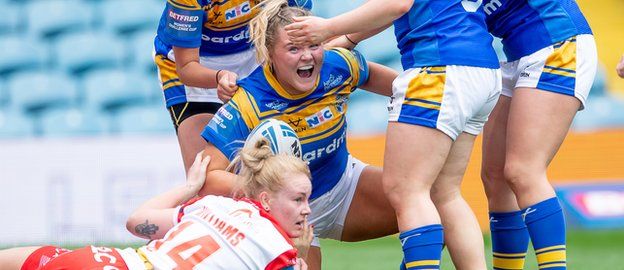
(154, 217)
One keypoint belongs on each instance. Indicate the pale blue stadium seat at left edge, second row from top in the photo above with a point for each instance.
(20, 53)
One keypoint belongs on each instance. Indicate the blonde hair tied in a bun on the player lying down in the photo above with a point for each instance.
(260, 170)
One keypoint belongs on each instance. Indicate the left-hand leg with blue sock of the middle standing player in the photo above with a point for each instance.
(413, 158)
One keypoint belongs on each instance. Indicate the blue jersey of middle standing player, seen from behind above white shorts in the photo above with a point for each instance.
(444, 32)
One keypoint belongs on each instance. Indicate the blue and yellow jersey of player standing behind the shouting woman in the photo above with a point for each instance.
(217, 27)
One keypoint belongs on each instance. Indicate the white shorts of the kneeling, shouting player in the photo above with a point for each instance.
(329, 211)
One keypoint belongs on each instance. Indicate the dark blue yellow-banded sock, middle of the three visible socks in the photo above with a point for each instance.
(510, 240)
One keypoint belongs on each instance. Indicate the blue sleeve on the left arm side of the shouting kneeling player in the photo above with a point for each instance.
(227, 130)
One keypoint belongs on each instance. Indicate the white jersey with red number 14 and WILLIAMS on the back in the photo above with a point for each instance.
(222, 233)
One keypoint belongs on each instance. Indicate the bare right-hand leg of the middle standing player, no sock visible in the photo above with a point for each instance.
(462, 234)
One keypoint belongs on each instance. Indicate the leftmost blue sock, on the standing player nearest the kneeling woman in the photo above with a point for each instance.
(422, 247)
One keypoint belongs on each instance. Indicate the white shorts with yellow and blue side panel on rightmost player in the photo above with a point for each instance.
(566, 67)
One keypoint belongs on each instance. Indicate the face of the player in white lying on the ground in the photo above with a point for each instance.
(289, 206)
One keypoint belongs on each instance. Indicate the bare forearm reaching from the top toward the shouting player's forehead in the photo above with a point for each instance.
(370, 16)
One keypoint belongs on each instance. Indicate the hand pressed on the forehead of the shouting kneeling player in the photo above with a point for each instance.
(308, 30)
